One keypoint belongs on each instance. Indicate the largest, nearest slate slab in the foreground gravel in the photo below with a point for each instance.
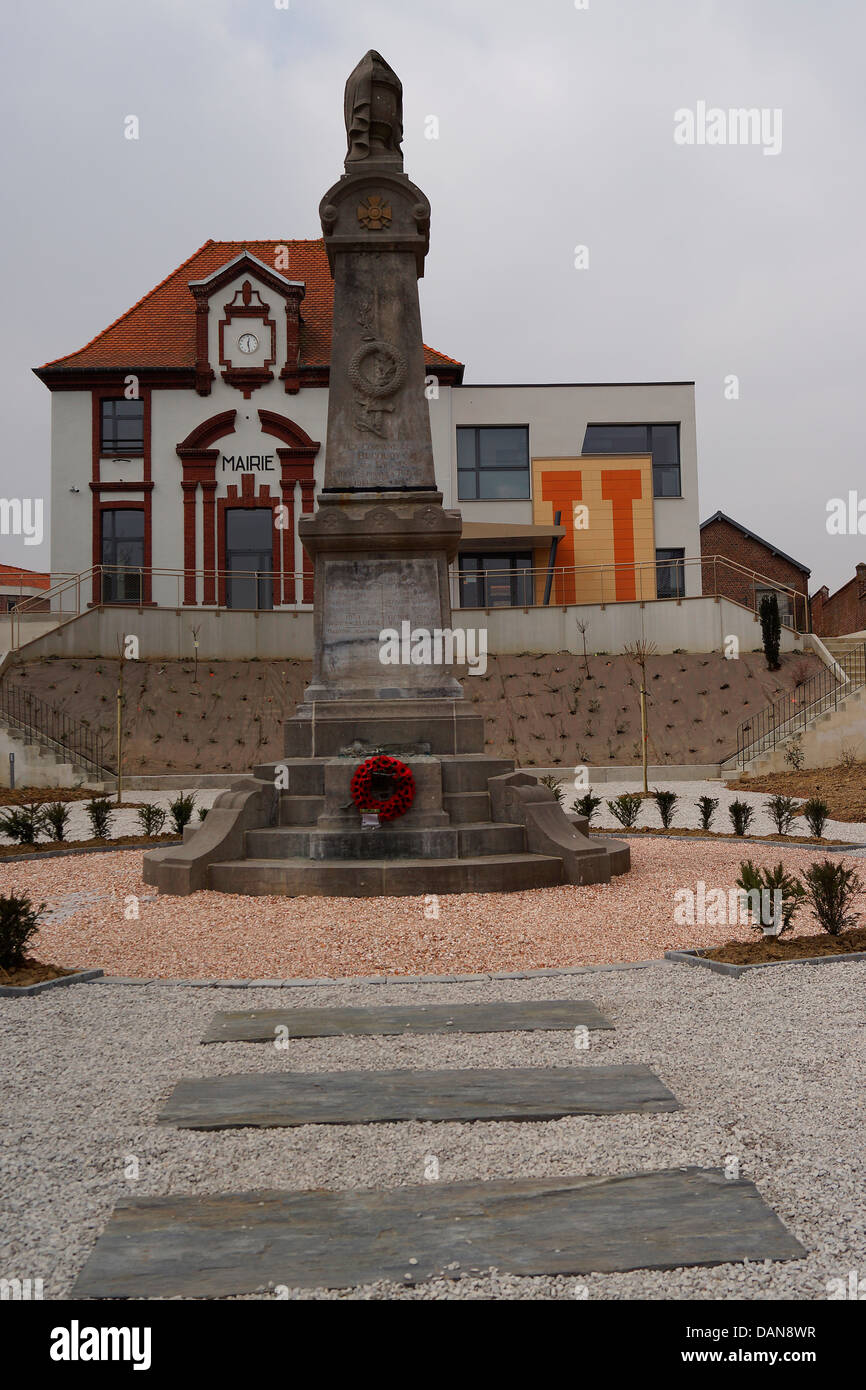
(218, 1246)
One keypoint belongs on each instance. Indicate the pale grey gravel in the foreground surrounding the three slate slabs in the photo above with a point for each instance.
(768, 1070)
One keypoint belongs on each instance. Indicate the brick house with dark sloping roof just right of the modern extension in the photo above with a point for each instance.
(762, 569)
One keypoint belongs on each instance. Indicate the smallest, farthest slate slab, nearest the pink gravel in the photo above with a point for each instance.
(500, 1017)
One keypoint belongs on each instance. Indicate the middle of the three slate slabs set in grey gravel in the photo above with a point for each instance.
(286, 1099)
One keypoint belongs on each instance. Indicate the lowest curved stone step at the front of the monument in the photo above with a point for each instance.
(386, 878)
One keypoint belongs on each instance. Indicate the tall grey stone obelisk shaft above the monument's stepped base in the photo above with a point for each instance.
(382, 541)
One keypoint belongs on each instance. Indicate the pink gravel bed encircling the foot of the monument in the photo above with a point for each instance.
(222, 936)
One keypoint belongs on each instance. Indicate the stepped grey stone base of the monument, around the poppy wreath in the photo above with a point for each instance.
(475, 826)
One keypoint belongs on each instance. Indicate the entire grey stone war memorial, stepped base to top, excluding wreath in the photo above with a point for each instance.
(382, 546)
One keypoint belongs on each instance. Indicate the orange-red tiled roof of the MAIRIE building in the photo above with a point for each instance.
(161, 330)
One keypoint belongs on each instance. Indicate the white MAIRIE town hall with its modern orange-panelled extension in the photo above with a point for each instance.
(188, 439)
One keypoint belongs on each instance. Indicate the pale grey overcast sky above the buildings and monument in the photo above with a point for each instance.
(557, 129)
